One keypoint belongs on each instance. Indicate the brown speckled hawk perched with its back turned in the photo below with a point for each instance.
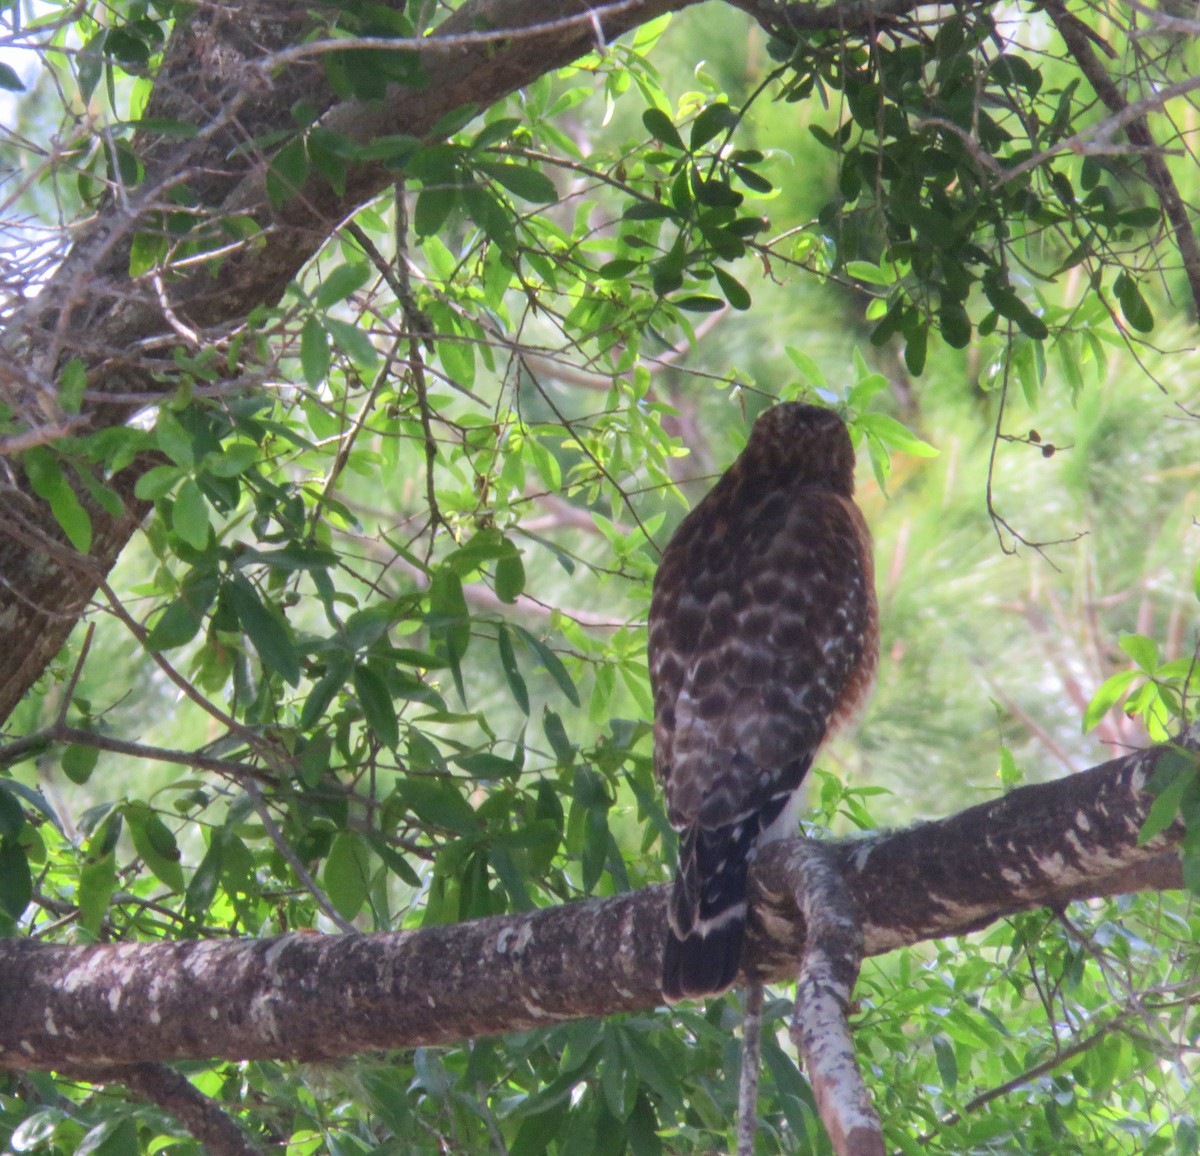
(764, 639)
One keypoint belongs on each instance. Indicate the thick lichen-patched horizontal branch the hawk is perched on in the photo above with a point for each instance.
(317, 997)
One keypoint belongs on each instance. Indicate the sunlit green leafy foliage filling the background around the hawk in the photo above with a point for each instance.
(377, 658)
